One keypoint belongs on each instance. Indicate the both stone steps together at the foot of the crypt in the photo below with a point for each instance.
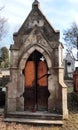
(34, 117)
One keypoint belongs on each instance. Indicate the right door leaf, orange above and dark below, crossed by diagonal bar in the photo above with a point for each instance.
(42, 86)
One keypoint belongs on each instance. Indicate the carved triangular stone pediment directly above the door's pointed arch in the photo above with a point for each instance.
(36, 37)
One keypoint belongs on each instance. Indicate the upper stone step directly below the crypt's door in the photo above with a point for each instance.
(35, 115)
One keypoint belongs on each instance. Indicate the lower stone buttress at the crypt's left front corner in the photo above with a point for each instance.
(11, 94)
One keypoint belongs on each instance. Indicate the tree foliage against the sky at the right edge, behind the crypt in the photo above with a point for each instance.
(70, 36)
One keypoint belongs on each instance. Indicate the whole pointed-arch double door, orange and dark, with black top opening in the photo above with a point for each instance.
(36, 83)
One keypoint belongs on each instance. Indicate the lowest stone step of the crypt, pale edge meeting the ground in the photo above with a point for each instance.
(33, 121)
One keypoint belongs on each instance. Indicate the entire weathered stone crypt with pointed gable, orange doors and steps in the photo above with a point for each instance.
(36, 92)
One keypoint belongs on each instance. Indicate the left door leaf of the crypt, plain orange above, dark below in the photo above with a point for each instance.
(29, 97)
